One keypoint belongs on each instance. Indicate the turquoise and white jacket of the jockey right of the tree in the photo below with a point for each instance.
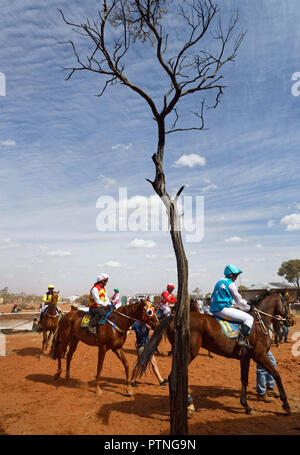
(226, 294)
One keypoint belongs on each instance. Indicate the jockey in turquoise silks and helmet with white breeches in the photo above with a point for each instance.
(221, 305)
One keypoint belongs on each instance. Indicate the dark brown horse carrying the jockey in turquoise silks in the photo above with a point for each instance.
(205, 331)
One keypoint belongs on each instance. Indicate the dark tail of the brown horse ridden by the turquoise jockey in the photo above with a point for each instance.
(150, 347)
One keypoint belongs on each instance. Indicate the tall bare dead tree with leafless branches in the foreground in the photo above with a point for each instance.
(190, 71)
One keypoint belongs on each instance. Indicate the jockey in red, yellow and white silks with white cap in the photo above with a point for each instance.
(98, 302)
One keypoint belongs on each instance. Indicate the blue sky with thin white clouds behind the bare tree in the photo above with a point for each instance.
(62, 148)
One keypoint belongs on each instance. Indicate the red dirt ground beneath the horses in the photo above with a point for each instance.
(33, 403)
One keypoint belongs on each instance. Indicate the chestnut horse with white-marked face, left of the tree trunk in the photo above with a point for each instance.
(111, 335)
